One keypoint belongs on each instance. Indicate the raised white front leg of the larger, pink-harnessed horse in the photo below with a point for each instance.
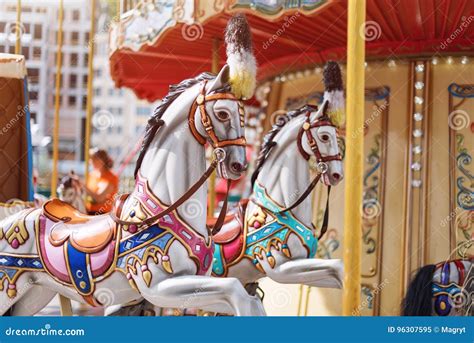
(226, 295)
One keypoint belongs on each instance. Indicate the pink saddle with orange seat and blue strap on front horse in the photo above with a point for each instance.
(76, 248)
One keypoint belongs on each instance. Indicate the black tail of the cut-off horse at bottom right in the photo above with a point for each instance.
(418, 300)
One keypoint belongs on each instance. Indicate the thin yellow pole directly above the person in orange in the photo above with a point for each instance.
(89, 92)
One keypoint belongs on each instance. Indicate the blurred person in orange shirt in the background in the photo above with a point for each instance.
(102, 185)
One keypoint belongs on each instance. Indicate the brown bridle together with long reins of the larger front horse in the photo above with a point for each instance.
(219, 157)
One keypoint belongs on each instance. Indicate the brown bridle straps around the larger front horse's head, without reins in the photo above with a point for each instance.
(206, 121)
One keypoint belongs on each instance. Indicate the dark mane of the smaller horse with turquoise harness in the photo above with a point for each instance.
(268, 140)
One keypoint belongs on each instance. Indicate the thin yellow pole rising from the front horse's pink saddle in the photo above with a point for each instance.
(65, 303)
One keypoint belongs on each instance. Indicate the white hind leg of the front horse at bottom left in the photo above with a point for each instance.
(33, 301)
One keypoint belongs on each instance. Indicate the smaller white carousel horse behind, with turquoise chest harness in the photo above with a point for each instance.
(272, 235)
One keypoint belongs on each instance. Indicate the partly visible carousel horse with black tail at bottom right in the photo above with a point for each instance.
(443, 289)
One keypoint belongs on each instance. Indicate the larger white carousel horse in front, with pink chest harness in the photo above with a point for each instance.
(154, 245)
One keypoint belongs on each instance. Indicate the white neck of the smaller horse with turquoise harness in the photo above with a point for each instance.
(285, 174)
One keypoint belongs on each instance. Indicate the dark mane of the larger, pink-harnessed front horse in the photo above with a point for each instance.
(155, 121)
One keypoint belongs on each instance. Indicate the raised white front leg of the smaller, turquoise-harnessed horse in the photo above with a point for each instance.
(312, 272)
